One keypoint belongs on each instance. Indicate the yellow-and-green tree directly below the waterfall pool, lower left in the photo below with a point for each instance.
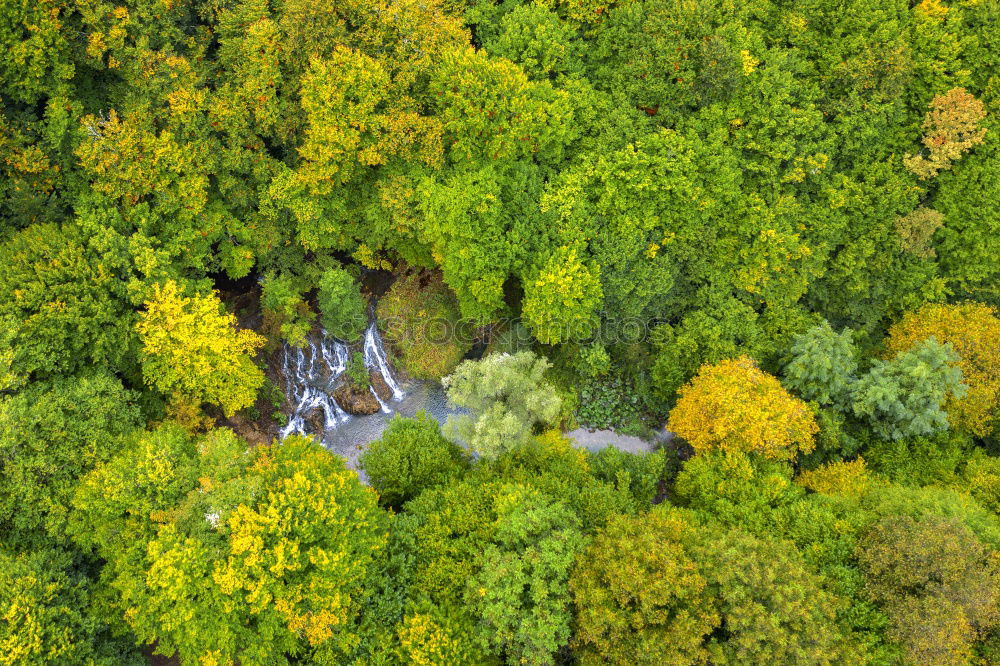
(310, 571)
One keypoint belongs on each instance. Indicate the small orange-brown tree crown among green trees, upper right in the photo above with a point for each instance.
(951, 128)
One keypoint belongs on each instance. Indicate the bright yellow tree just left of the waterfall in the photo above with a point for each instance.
(192, 350)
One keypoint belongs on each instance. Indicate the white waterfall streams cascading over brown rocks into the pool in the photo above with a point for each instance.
(313, 372)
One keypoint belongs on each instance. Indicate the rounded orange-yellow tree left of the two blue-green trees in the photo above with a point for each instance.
(735, 406)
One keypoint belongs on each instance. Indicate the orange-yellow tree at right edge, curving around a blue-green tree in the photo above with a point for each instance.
(973, 329)
